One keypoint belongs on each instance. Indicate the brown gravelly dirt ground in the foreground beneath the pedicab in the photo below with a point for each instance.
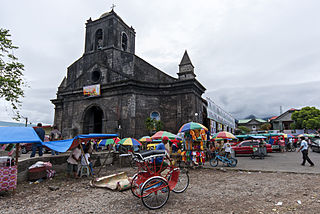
(210, 191)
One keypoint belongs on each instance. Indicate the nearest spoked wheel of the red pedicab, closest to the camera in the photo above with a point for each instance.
(155, 193)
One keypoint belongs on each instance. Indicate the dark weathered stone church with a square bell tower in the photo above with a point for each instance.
(111, 90)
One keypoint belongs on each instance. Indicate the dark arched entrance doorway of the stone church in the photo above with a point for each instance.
(93, 120)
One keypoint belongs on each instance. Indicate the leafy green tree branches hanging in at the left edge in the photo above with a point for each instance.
(11, 73)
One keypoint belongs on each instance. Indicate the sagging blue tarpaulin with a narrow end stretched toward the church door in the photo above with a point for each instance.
(65, 145)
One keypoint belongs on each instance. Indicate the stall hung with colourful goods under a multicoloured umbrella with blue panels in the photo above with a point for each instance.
(195, 137)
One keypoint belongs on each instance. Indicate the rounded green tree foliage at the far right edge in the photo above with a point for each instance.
(306, 118)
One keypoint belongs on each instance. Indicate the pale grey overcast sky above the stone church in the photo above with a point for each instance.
(253, 56)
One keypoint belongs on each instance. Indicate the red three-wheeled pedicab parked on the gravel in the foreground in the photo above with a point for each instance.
(153, 182)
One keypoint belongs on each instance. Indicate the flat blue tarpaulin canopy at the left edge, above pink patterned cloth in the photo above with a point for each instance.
(18, 135)
